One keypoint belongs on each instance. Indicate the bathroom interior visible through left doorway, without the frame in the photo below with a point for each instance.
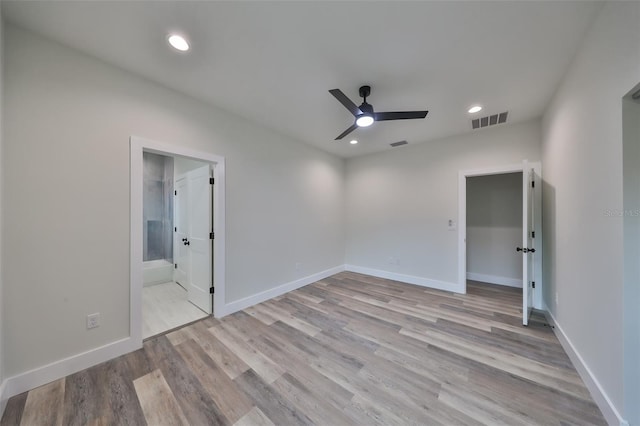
(177, 272)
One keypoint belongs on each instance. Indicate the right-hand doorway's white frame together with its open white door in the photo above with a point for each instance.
(530, 246)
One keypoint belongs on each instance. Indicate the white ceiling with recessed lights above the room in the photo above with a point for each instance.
(274, 62)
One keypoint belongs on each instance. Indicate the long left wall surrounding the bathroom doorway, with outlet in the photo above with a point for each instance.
(68, 122)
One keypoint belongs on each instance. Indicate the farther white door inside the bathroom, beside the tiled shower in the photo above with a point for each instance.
(181, 235)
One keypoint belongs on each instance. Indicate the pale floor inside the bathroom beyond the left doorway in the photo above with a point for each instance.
(165, 307)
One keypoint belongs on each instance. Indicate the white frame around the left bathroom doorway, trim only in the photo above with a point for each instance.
(139, 145)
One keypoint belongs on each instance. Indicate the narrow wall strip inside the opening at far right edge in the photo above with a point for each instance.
(631, 221)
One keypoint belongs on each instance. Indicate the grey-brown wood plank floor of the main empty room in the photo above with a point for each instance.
(349, 349)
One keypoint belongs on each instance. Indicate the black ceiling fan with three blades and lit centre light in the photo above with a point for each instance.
(364, 114)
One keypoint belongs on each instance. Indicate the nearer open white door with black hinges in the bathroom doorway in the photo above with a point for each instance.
(199, 241)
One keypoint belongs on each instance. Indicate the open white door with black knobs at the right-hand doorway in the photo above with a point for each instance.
(528, 234)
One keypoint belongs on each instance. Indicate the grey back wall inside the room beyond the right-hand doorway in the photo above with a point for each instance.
(494, 228)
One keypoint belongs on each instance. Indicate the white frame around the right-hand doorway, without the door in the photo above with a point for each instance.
(462, 222)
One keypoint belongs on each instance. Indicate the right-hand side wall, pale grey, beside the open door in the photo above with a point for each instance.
(582, 159)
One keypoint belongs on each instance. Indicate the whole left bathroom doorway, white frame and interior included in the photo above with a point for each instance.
(202, 243)
